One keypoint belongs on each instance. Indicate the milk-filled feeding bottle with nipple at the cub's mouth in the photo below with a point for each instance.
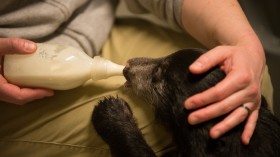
(58, 67)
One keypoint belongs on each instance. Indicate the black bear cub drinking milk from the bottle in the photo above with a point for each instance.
(165, 83)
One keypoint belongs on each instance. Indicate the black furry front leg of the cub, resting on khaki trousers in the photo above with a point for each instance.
(114, 122)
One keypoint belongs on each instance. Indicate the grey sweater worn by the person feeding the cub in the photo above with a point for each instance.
(81, 23)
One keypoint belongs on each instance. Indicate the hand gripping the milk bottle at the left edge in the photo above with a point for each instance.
(12, 93)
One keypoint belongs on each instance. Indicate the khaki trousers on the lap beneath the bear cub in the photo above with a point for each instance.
(61, 125)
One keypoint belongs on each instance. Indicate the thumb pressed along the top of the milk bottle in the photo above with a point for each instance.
(16, 46)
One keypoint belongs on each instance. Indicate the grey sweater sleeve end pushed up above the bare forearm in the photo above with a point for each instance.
(167, 10)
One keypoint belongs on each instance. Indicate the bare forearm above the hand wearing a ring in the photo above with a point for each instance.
(218, 22)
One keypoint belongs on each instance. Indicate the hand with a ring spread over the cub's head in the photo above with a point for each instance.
(242, 85)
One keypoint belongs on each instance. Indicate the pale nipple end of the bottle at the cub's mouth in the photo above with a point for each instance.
(103, 68)
